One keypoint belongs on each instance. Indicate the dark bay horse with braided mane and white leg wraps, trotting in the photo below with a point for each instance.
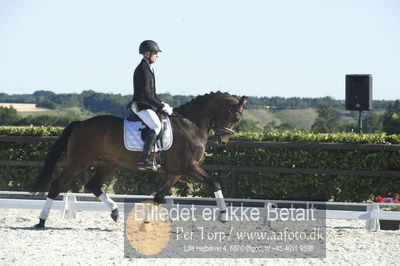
(99, 142)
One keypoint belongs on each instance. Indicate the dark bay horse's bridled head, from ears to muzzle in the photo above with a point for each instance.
(226, 120)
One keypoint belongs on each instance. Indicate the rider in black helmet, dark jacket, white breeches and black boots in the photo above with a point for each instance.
(145, 102)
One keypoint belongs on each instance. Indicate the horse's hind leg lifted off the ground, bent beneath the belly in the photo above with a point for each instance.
(103, 172)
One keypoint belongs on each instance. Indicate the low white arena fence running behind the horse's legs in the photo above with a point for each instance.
(70, 203)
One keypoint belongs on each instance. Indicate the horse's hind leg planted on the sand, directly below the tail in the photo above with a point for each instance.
(56, 187)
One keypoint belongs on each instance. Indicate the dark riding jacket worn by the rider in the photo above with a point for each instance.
(145, 88)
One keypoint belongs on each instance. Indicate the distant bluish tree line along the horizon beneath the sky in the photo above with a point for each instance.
(115, 103)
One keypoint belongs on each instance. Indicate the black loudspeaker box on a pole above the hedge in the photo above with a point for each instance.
(359, 92)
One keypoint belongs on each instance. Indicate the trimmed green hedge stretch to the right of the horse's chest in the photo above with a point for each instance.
(308, 187)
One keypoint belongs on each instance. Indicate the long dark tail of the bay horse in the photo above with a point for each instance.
(53, 155)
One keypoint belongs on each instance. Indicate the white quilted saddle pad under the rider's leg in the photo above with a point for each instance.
(133, 139)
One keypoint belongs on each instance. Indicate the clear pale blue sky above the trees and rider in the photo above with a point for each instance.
(259, 48)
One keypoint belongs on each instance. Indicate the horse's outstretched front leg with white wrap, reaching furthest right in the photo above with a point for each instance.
(203, 176)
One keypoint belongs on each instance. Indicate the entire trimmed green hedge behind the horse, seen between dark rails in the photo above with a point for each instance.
(243, 185)
